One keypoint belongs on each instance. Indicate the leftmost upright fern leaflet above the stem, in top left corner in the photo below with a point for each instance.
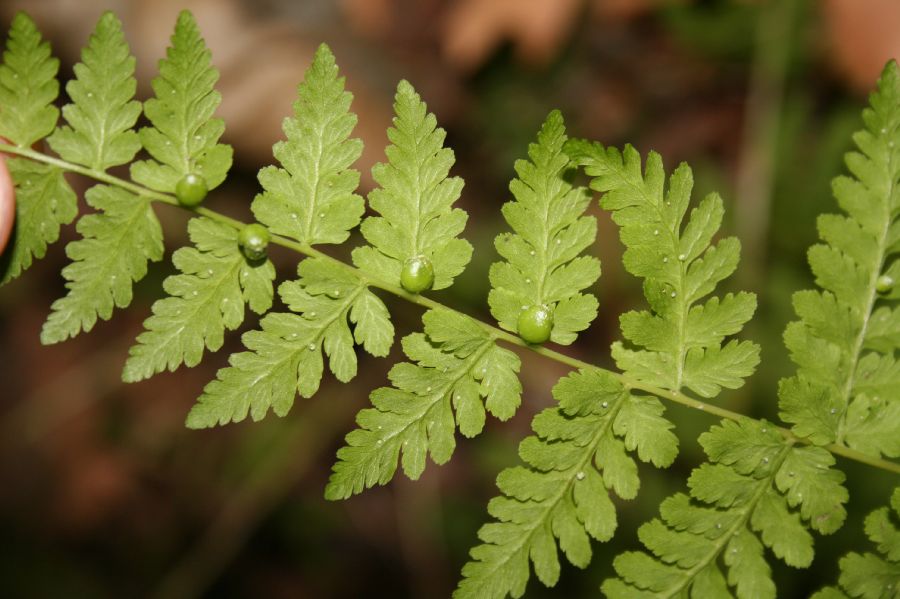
(28, 85)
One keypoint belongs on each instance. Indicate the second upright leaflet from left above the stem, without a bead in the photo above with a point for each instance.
(103, 111)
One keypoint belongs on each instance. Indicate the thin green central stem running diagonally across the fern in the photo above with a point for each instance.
(369, 280)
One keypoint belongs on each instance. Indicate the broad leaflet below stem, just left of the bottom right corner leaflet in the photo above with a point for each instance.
(758, 490)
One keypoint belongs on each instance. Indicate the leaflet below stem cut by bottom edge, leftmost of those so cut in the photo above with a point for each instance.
(577, 455)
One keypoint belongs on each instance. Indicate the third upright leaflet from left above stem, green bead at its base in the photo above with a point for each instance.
(183, 138)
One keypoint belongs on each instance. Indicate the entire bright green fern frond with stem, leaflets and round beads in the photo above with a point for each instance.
(763, 486)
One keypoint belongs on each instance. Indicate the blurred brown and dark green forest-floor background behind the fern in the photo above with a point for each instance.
(103, 493)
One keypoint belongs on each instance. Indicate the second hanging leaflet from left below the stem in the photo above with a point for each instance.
(117, 243)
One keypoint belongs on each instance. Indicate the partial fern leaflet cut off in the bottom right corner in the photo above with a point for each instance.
(873, 575)
